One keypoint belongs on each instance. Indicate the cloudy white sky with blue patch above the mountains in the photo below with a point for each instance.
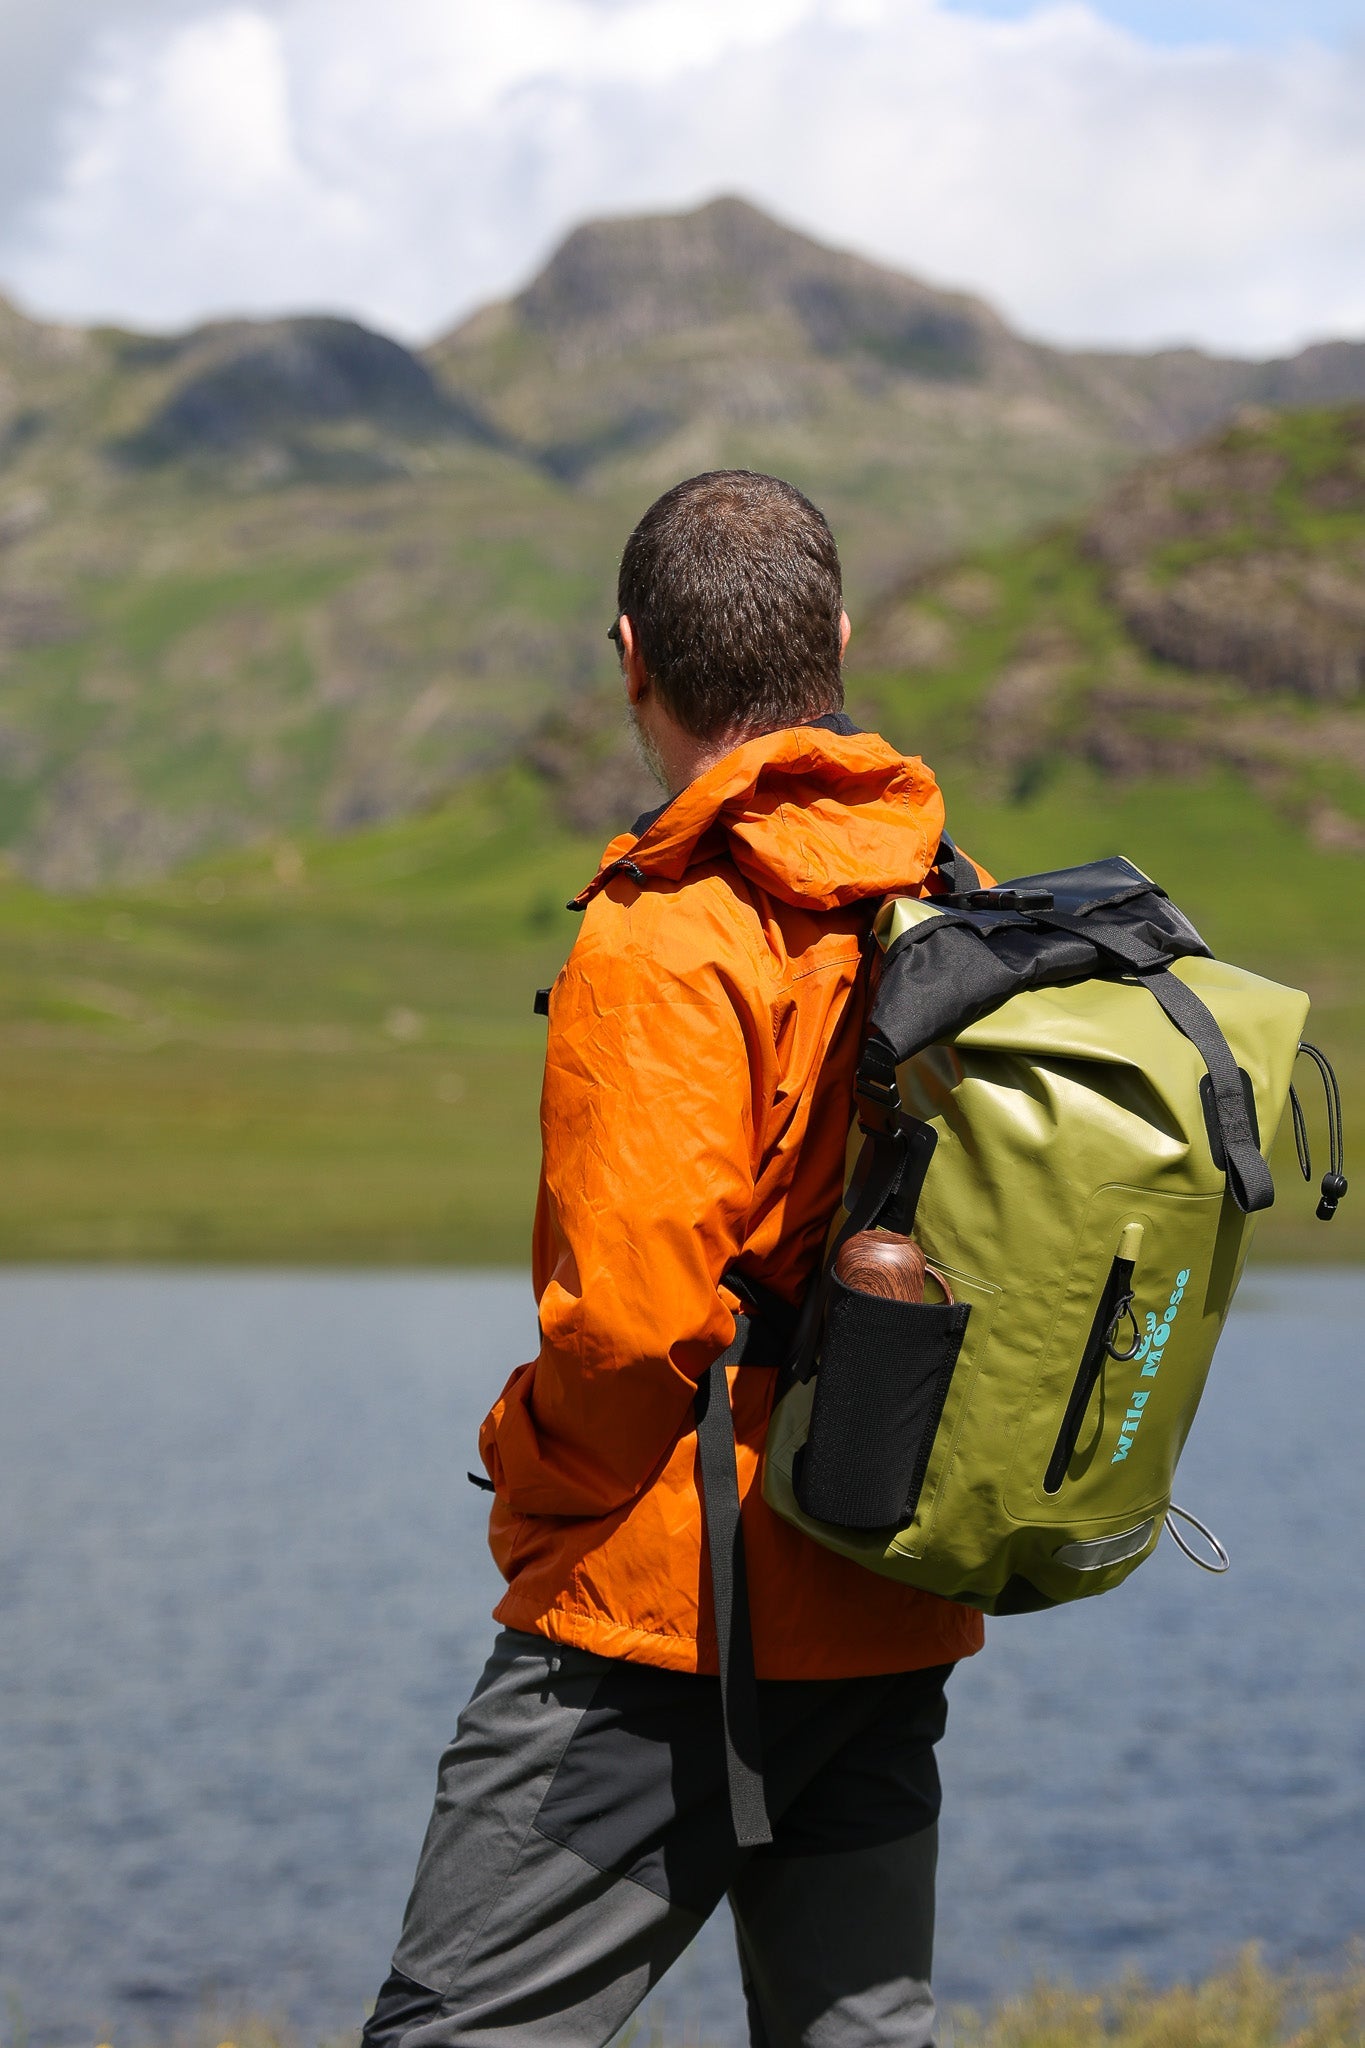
(1122, 173)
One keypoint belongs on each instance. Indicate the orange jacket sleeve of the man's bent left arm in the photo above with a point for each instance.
(654, 1093)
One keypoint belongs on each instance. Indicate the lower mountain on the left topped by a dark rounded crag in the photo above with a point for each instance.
(261, 579)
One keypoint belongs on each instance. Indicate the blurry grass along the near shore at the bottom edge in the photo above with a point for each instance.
(1249, 2004)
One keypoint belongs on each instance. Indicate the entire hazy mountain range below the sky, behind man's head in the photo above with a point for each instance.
(288, 577)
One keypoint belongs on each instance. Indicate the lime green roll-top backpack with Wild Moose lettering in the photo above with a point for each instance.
(1069, 1103)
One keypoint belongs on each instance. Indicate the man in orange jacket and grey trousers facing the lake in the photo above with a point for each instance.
(695, 1117)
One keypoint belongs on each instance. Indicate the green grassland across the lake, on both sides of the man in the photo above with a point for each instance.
(328, 1052)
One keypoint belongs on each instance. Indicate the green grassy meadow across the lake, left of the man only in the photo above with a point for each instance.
(320, 1052)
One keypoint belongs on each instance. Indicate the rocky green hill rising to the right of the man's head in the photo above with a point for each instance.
(1206, 620)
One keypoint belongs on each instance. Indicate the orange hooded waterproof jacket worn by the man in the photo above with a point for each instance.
(697, 1109)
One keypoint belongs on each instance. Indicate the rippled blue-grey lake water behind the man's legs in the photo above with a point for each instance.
(245, 1592)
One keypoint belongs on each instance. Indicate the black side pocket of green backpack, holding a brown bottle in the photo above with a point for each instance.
(879, 1396)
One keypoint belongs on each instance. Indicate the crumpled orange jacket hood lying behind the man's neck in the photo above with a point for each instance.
(811, 816)
